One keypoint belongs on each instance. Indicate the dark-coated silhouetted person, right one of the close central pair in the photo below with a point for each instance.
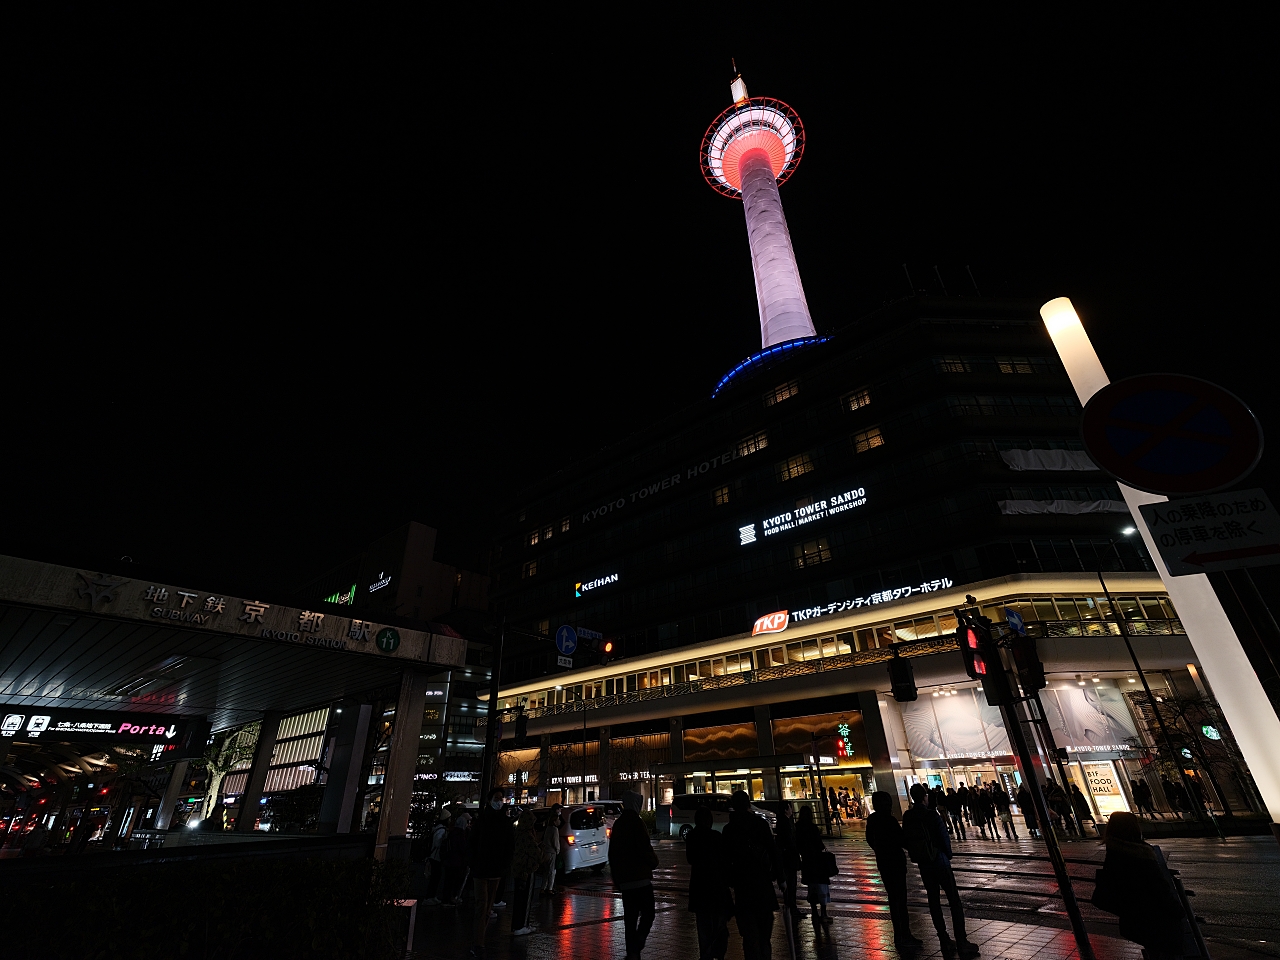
(755, 865)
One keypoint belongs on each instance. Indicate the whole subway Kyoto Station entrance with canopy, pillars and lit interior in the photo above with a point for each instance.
(108, 679)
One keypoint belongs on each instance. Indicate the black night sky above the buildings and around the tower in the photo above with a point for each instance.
(282, 287)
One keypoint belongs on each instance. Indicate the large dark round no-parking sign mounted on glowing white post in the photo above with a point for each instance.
(1172, 435)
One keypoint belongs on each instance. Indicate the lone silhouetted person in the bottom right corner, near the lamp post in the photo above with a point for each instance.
(1151, 912)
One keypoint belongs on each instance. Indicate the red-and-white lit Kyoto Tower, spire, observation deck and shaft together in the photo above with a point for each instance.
(748, 152)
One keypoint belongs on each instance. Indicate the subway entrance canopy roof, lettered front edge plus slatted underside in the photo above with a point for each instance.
(83, 639)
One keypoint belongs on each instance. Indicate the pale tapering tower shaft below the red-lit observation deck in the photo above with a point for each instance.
(784, 310)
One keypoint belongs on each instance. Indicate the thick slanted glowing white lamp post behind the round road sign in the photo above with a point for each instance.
(1240, 692)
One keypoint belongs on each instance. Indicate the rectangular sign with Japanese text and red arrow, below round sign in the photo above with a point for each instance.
(1217, 532)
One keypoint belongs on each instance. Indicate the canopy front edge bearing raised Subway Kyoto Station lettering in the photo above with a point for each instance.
(33, 583)
